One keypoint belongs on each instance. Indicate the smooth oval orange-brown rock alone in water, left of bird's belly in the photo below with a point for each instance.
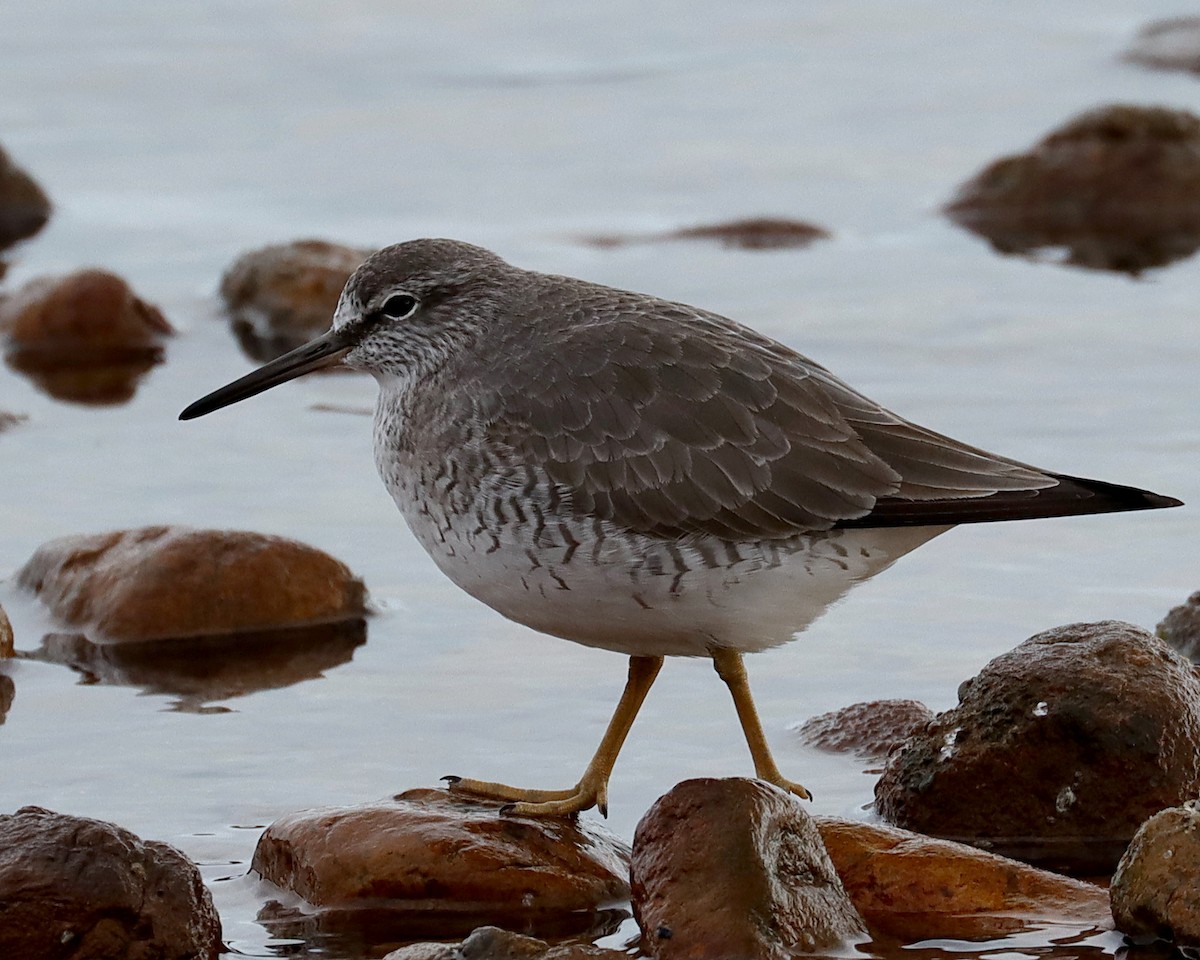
(160, 583)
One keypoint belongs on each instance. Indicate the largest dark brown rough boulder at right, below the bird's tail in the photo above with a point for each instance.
(1058, 751)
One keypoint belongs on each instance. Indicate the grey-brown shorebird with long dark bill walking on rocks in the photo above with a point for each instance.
(641, 476)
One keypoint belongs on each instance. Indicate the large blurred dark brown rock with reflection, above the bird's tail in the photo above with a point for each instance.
(1118, 189)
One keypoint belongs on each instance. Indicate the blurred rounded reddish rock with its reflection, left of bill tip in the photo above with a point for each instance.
(83, 339)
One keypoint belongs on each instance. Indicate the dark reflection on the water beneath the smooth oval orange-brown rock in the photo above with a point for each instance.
(202, 670)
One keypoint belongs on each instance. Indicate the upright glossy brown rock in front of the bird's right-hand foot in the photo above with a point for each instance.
(736, 868)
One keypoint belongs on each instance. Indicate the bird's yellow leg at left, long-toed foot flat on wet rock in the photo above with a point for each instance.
(593, 787)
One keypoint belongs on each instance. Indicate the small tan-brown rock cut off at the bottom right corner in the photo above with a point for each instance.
(1155, 889)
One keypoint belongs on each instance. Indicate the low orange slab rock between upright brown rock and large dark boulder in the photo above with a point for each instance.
(915, 887)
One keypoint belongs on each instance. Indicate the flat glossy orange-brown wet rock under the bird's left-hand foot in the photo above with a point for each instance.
(428, 865)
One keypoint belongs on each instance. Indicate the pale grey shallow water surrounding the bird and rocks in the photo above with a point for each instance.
(173, 139)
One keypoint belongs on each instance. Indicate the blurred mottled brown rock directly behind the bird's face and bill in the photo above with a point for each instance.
(281, 297)
